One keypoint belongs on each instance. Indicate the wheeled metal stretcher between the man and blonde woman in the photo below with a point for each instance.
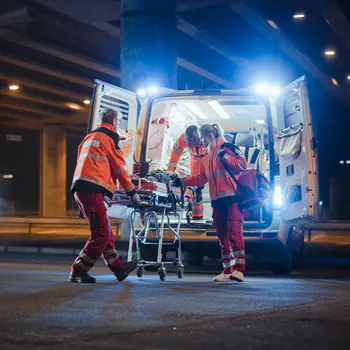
(158, 206)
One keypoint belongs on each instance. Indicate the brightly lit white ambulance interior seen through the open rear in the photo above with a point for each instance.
(243, 119)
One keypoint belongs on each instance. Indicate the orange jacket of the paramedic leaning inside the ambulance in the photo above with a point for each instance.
(197, 155)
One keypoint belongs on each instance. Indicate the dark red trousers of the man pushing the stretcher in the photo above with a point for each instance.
(101, 241)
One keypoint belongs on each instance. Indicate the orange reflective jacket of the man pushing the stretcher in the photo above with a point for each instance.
(101, 162)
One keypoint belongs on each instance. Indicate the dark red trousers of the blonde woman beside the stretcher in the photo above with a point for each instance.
(228, 221)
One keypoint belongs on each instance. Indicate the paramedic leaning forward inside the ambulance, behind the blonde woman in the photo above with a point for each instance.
(190, 139)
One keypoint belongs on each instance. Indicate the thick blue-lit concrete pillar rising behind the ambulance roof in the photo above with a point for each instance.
(148, 49)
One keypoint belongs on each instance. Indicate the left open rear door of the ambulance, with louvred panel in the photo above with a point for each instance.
(109, 96)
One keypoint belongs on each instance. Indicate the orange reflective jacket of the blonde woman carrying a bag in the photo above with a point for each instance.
(221, 185)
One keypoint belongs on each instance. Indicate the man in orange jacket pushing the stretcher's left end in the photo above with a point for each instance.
(100, 164)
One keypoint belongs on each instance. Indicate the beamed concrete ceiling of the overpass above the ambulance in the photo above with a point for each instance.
(54, 49)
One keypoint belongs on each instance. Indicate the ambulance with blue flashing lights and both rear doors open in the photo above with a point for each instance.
(274, 129)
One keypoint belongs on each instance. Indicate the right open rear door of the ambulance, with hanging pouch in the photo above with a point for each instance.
(296, 148)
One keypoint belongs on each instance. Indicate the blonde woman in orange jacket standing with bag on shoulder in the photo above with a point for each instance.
(228, 218)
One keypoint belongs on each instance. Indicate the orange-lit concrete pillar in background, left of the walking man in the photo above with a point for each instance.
(53, 171)
